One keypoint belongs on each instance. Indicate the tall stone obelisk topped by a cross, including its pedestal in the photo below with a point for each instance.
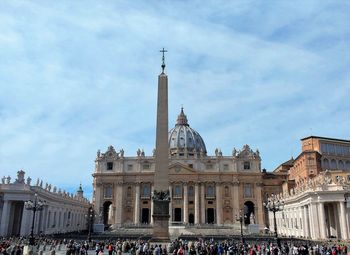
(160, 194)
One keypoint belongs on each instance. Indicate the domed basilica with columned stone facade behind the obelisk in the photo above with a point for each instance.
(204, 189)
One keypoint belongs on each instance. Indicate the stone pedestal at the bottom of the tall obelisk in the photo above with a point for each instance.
(161, 221)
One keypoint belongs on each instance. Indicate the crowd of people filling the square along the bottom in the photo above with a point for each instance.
(15, 246)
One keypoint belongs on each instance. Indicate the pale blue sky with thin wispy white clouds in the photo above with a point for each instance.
(78, 76)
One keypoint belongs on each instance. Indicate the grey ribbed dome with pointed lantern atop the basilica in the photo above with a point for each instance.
(183, 140)
